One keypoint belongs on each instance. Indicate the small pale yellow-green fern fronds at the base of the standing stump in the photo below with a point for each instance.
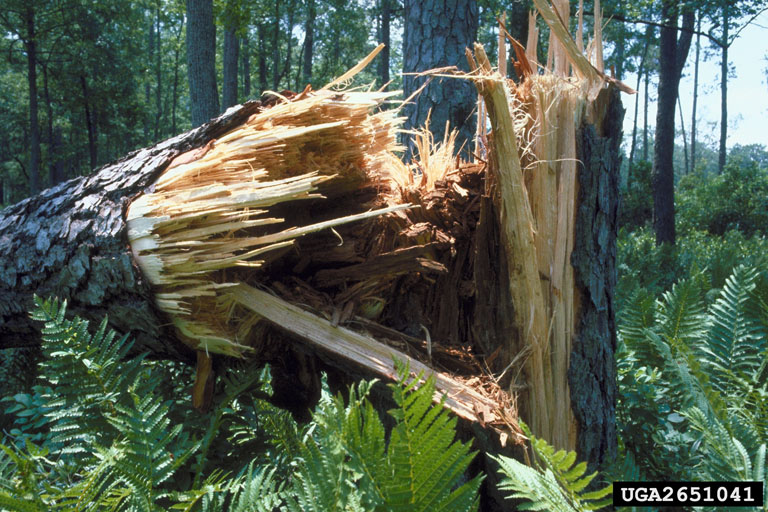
(556, 484)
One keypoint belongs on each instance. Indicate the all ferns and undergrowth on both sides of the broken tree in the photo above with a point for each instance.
(99, 431)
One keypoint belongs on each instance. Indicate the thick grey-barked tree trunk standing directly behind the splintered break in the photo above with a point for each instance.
(435, 35)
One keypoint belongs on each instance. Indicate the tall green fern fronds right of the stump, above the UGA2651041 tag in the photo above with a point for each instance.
(693, 380)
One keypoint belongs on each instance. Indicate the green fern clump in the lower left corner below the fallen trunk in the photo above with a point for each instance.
(109, 434)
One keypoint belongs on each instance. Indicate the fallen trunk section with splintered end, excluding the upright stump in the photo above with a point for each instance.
(158, 240)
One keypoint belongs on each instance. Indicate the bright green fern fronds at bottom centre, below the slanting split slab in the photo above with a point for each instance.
(346, 464)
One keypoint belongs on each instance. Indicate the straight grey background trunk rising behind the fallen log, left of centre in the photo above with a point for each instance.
(201, 61)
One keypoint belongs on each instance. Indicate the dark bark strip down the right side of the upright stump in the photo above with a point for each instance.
(592, 370)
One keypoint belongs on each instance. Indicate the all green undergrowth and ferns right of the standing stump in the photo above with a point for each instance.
(693, 330)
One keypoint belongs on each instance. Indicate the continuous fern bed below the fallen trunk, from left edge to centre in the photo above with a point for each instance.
(104, 436)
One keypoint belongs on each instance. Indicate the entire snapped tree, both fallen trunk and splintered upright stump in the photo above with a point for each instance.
(294, 236)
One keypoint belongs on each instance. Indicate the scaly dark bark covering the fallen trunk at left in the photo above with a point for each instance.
(70, 241)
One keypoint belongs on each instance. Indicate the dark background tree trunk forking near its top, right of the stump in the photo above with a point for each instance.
(673, 52)
